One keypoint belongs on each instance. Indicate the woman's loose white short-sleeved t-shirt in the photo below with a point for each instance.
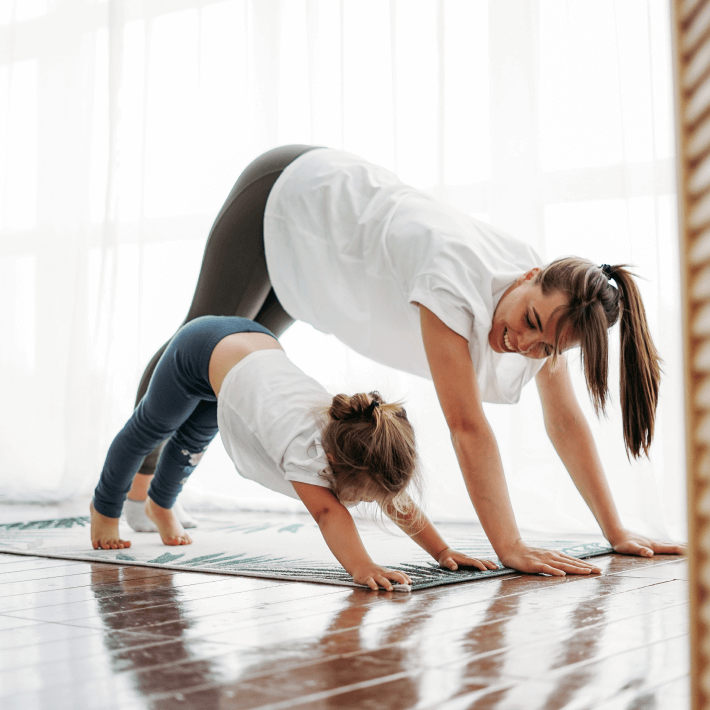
(351, 249)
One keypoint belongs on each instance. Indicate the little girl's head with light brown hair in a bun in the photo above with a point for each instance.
(371, 449)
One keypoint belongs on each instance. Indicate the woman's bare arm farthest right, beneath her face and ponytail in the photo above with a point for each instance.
(572, 438)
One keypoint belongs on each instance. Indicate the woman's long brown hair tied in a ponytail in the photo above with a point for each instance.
(594, 306)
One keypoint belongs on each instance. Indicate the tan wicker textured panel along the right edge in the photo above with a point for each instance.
(691, 29)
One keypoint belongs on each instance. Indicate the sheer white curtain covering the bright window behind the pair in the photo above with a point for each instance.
(124, 123)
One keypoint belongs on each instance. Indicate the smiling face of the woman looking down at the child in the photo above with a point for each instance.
(523, 321)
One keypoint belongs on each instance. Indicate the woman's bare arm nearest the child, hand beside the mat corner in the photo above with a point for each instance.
(477, 452)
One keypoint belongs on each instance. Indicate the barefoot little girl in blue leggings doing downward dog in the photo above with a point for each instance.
(230, 374)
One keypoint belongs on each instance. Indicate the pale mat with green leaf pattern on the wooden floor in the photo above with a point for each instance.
(276, 550)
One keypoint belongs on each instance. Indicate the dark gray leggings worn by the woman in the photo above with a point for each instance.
(233, 279)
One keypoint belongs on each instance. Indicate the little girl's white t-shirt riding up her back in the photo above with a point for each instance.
(270, 423)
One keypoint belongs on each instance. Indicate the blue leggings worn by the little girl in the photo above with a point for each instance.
(180, 406)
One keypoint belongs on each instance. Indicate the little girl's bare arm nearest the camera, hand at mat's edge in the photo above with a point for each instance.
(340, 534)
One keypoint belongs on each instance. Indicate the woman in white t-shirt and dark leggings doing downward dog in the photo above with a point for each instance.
(324, 236)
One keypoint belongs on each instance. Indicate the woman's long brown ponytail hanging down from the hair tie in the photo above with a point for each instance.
(640, 370)
